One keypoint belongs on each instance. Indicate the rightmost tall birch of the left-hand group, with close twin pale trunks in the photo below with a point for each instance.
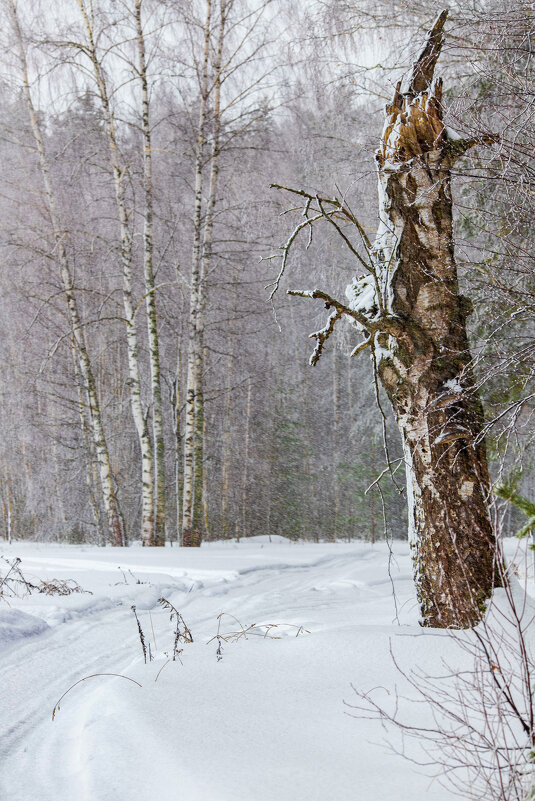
(234, 40)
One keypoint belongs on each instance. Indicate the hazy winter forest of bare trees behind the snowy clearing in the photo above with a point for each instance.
(149, 387)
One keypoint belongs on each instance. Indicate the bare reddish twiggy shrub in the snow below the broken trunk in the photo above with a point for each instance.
(477, 730)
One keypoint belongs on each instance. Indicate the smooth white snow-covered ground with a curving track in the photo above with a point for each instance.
(271, 720)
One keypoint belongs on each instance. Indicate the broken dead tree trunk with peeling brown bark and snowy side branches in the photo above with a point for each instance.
(413, 319)
